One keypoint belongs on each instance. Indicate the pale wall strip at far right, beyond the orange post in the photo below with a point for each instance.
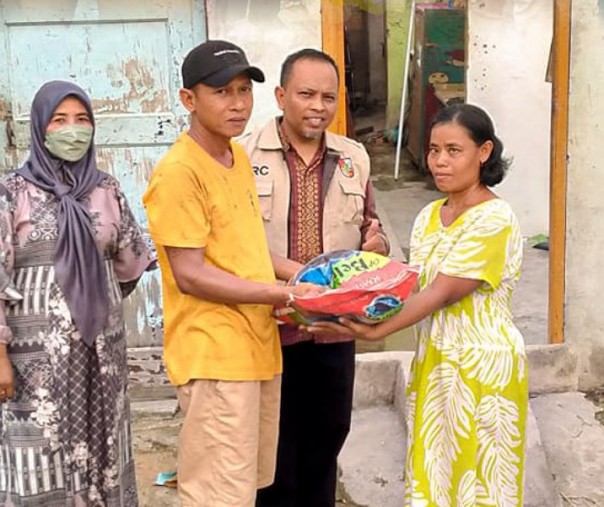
(584, 321)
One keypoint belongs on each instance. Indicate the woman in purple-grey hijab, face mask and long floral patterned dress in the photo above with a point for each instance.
(70, 250)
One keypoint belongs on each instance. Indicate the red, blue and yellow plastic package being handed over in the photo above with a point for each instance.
(364, 286)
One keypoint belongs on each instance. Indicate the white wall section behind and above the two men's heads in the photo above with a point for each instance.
(267, 39)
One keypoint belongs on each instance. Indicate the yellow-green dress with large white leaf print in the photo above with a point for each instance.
(468, 393)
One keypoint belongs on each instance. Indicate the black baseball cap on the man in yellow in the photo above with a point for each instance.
(215, 63)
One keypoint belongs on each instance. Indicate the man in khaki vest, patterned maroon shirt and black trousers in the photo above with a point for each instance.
(315, 197)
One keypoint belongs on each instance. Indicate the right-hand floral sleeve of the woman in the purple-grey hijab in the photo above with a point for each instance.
(133, 256)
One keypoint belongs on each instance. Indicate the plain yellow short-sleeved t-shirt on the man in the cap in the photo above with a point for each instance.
(194, 202)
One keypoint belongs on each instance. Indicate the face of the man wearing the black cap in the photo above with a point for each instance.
(221, 112)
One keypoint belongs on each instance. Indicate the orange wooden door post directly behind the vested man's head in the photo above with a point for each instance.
(332, 29)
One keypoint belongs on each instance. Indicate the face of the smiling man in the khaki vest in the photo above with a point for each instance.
(309, 99)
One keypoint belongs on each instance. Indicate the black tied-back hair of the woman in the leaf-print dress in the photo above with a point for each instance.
(480, 127)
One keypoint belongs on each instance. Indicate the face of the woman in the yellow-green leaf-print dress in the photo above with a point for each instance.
(454, 158)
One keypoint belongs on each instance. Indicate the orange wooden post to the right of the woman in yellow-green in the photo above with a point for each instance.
(557, 259)
